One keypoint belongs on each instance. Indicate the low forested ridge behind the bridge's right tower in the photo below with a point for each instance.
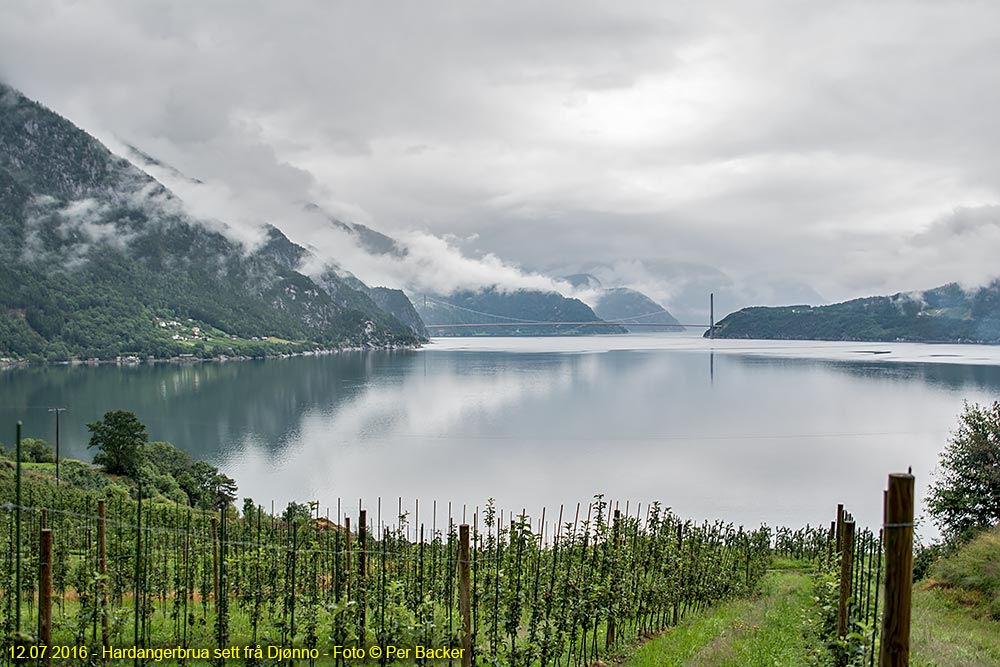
(944, 314)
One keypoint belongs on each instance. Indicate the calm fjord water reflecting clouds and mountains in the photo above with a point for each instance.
(744, 431)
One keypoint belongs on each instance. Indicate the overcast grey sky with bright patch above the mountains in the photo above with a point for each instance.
(852, 146)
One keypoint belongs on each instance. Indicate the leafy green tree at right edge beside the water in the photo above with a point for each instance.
(965, 495)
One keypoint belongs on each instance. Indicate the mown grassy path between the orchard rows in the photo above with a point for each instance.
(770, 630)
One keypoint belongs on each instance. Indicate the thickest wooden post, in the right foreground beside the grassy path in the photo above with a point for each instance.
(898, 533)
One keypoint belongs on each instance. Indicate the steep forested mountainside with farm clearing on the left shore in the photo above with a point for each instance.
(96, 254)
